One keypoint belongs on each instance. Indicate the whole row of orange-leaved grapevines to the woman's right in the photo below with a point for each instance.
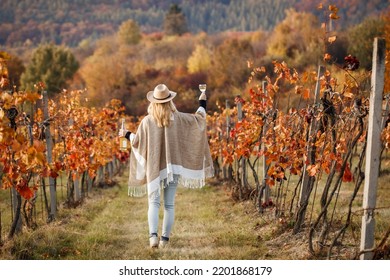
(306, 165)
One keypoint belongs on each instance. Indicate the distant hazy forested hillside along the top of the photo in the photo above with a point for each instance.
(70, 21)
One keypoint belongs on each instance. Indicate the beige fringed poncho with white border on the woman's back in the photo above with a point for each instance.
(158, 153)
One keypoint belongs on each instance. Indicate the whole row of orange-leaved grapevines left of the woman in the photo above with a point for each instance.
(52, 153)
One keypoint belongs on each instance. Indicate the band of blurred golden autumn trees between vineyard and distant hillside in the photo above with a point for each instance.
(128, 62)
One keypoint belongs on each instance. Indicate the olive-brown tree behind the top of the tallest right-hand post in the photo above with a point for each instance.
(361, 39)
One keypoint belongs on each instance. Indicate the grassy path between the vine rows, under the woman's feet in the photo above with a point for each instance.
(112, 226)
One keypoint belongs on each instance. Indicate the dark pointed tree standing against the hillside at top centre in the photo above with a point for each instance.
(175, 21)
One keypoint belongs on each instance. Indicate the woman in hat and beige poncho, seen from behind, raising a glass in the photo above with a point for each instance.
(169, 148)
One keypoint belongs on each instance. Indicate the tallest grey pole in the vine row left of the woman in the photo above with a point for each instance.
(49, 147)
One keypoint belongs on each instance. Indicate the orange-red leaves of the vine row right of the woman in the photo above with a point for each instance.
(283, 137)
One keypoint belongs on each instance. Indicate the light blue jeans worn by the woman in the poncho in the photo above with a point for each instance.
(169, 192)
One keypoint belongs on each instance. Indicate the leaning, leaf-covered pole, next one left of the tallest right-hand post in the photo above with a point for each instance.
(308, 181)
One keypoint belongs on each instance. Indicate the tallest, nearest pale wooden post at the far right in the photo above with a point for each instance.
(373, 149)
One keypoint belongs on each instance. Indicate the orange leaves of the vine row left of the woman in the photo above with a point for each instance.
(86, 139)
